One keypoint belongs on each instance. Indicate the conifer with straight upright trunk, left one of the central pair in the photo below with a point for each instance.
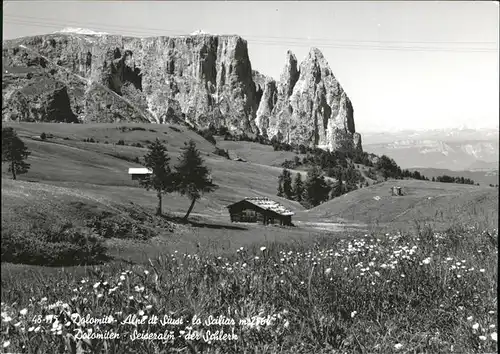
(161, 179)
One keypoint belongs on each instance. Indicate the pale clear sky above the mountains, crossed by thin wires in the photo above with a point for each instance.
(405, 65)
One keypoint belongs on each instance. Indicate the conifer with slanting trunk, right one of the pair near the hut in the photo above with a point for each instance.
(192, 176)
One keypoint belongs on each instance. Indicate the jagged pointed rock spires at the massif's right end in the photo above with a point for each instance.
(311, 107)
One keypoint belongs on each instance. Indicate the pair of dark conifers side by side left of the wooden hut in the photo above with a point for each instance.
(190, 176)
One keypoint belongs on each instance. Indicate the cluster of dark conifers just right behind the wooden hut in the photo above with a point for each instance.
(312, 191)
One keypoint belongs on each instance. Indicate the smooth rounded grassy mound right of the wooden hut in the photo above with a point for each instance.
(423, 201)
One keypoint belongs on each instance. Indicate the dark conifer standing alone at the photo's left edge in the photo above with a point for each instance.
(14, 152)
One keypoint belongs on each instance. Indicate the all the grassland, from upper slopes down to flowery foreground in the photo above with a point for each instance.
(362, 273)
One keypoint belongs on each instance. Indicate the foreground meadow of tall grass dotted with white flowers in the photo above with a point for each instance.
(420, 292)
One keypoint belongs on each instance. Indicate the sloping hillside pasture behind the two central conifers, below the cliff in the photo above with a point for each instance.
(62, 161)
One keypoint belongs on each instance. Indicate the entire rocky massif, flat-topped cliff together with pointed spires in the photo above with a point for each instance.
(201, 79)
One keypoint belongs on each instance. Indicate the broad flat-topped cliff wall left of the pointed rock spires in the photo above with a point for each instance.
(207, 79)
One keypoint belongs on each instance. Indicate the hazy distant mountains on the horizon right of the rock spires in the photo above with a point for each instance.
(453, 149)
